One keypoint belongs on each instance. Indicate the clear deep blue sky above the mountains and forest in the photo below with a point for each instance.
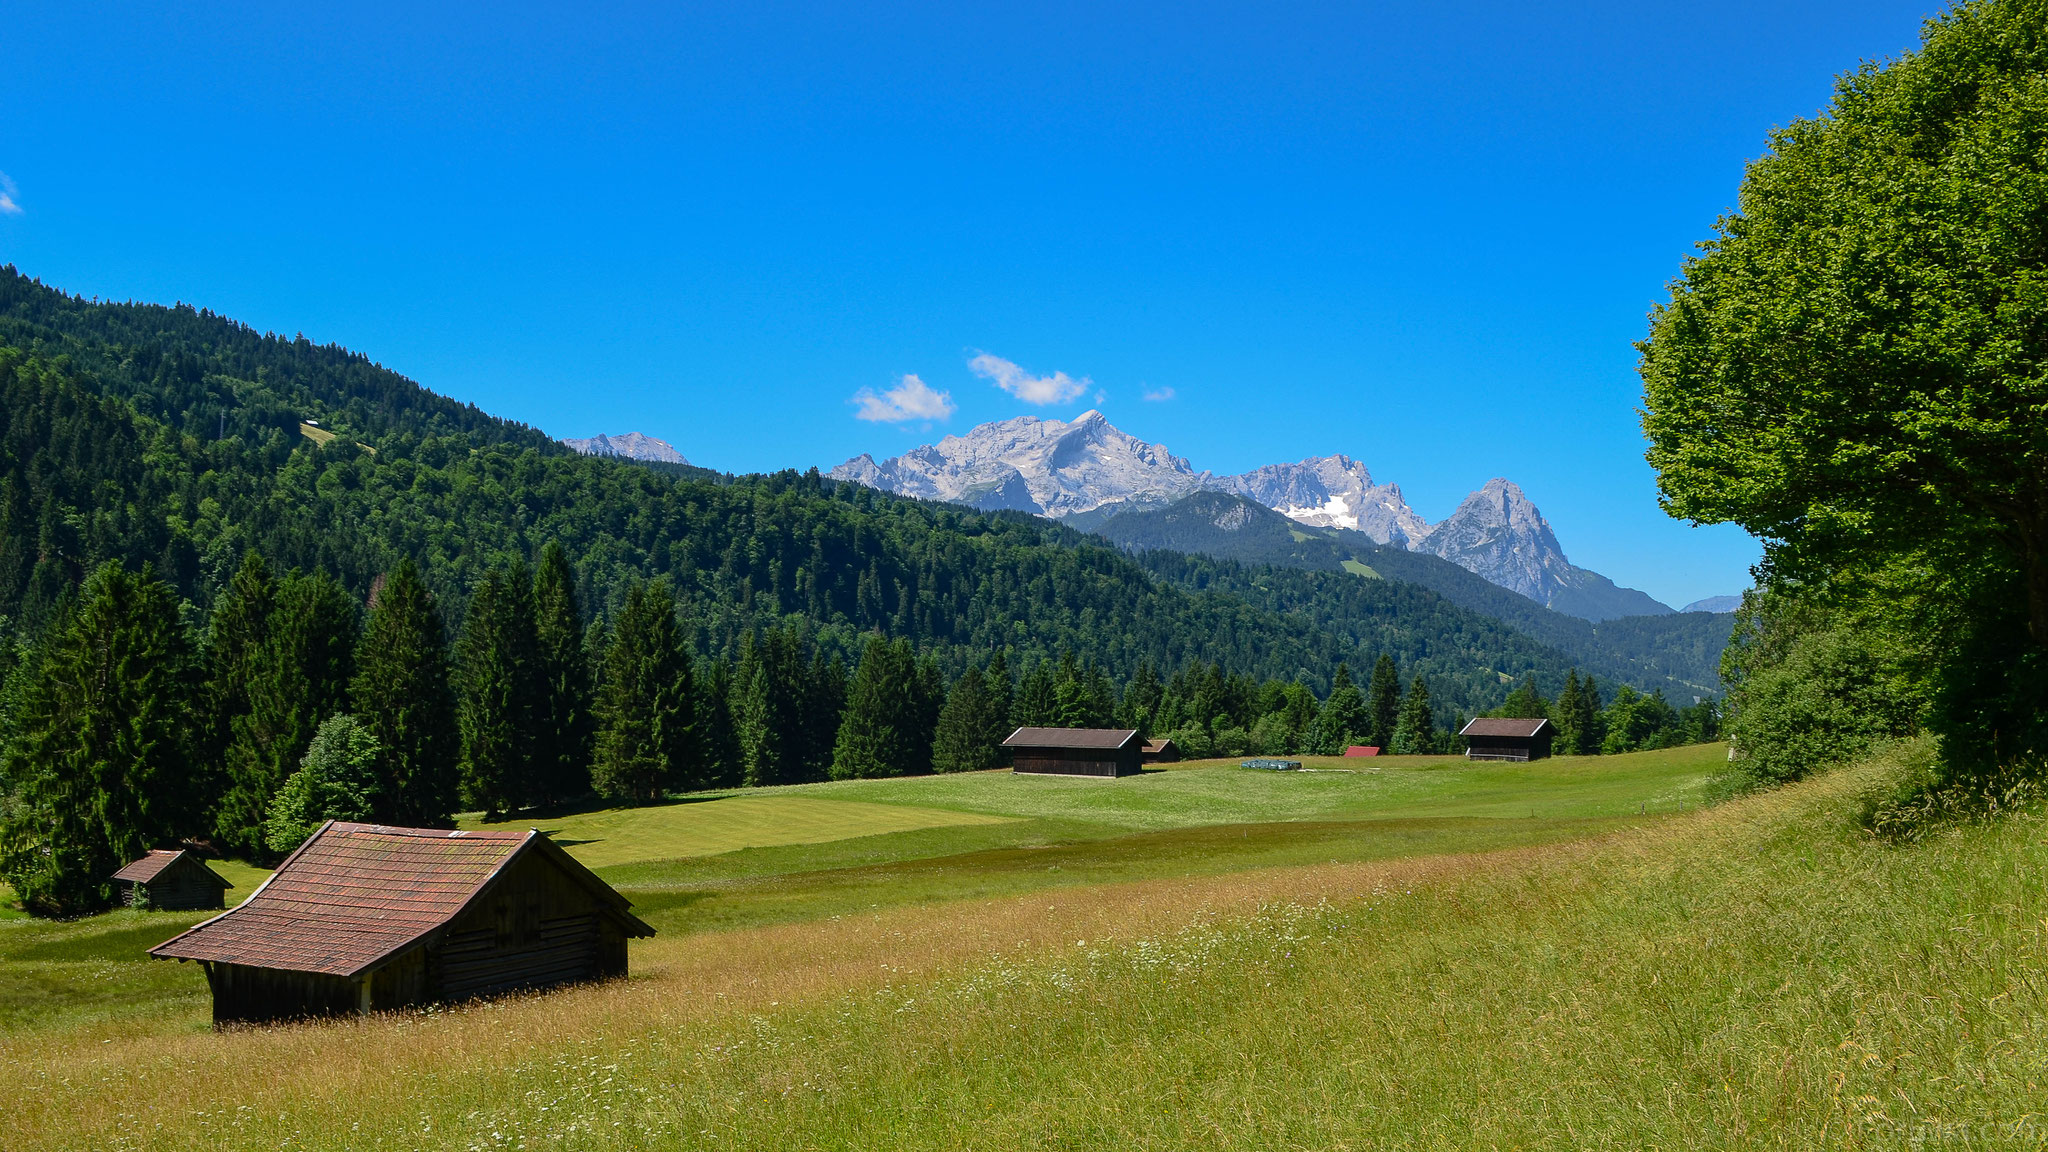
(1420, 235)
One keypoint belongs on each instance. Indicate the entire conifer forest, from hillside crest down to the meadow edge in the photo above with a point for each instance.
(370, 600)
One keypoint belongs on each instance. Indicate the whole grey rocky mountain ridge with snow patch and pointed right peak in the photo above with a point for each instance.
(1089, 472)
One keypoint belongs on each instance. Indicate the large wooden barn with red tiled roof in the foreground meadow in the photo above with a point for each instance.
(368, 919)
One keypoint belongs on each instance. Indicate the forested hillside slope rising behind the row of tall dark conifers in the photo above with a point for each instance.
(169, 436)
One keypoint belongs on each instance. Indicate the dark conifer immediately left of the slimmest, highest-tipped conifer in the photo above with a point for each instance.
(503, 694)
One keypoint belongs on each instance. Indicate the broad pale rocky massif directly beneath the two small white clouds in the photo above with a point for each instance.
(1054, 468)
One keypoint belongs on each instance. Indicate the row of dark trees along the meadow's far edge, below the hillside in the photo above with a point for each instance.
(124, 727)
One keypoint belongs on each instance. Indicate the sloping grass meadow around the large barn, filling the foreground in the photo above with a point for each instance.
(1752, 975)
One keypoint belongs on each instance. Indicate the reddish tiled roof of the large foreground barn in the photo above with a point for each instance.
(357, 895)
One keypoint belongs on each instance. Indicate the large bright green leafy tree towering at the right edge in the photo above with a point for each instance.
(1857, 366)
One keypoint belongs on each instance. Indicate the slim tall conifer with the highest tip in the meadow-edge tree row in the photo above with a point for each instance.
(562, 759)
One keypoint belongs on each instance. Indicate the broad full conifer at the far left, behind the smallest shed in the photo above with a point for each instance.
(101, 745)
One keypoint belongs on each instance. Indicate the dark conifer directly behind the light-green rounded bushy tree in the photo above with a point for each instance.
(298, 680)
